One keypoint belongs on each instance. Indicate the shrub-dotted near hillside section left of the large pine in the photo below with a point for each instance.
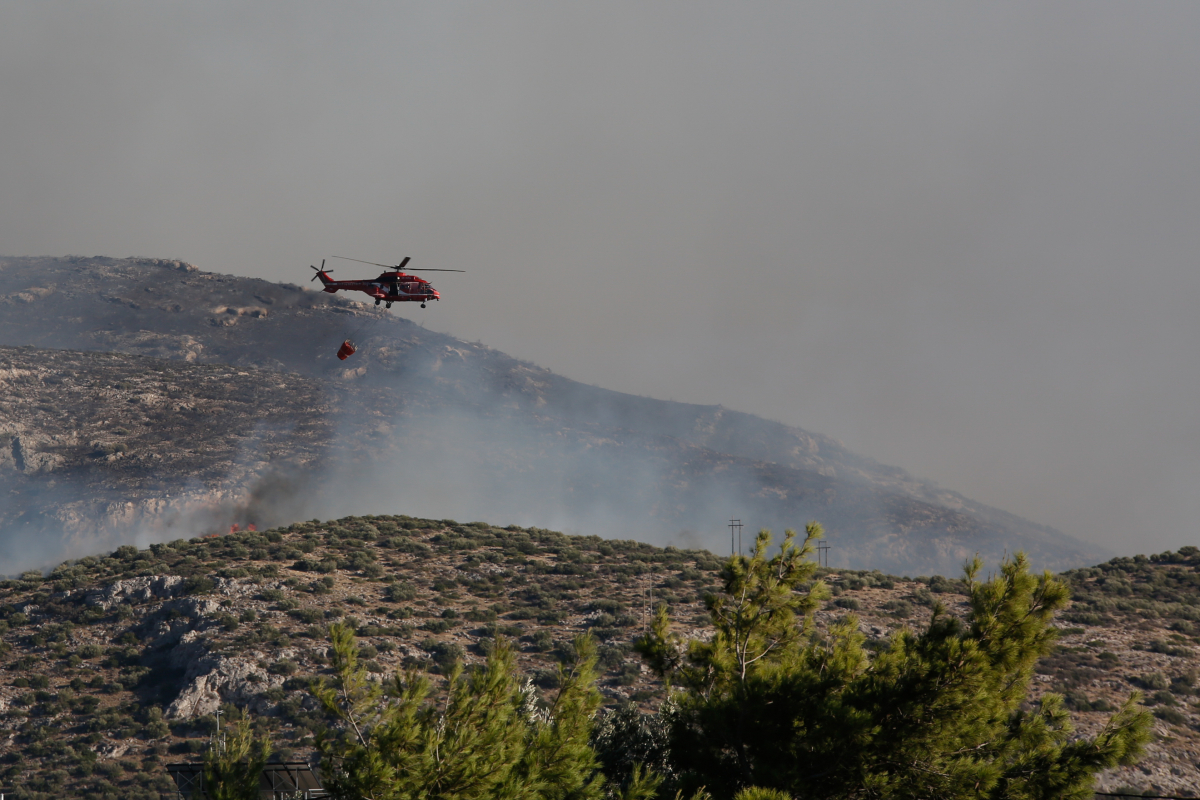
(118, 665)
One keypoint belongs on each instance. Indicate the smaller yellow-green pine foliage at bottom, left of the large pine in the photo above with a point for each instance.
(487, 738)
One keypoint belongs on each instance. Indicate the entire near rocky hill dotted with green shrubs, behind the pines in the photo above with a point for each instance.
(113, 666)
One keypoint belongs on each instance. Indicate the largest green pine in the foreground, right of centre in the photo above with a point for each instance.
(770, 707)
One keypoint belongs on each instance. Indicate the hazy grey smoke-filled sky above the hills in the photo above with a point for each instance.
(962, 238)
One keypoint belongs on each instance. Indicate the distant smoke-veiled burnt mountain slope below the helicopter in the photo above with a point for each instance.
(455, 428)
